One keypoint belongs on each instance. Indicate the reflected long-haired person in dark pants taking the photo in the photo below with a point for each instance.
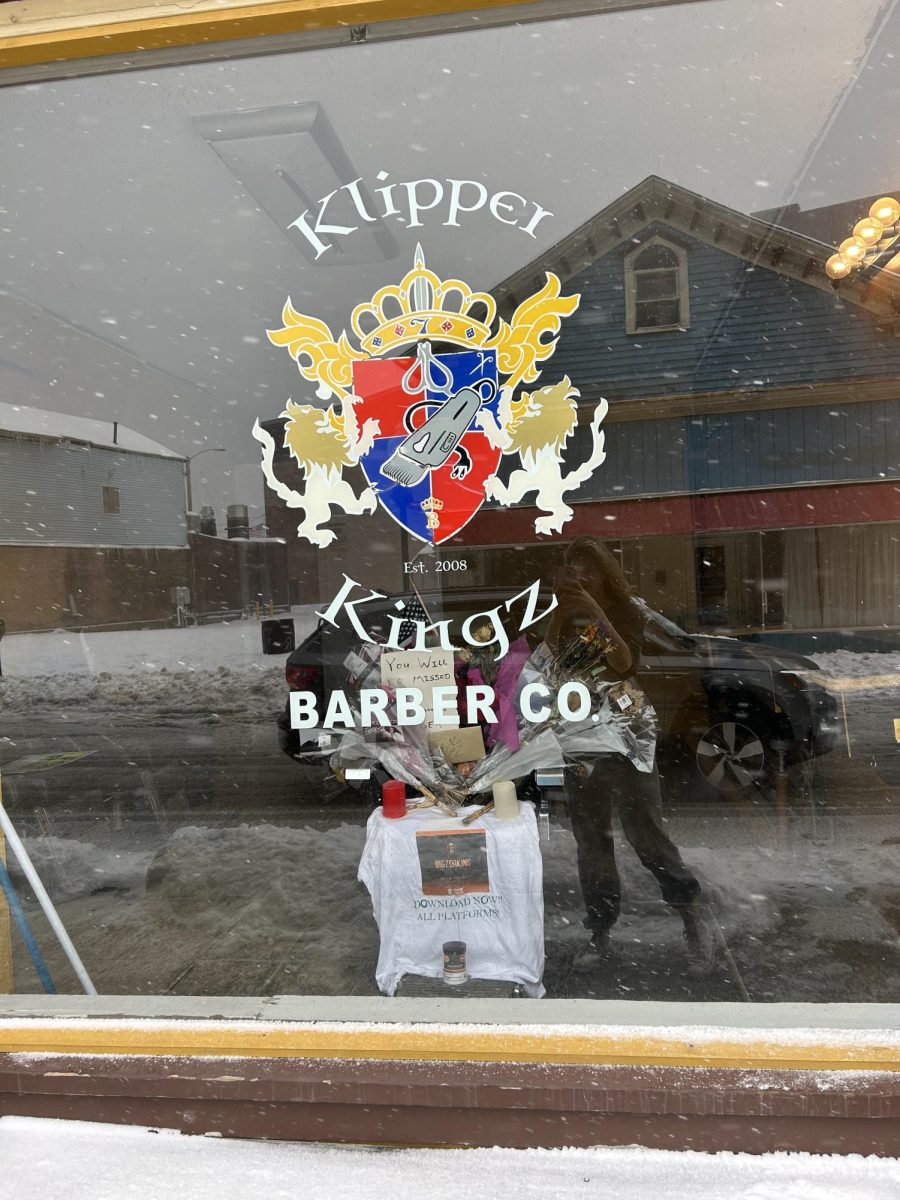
(595, 592)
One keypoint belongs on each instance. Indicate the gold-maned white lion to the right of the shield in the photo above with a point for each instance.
(538, 428)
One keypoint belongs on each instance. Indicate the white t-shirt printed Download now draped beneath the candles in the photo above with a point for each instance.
(502, 927)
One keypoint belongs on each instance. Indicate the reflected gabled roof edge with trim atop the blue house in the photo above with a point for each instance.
(758, 242)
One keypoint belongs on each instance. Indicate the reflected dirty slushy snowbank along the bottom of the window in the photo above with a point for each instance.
(255, 910)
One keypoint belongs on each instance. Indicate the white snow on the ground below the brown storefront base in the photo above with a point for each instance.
(75, 1161)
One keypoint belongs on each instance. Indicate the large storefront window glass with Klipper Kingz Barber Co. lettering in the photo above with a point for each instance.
(449, 515)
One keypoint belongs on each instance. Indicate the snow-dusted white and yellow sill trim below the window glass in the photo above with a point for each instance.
(751, 1036)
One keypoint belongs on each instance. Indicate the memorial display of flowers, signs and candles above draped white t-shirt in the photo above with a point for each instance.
(479, 731)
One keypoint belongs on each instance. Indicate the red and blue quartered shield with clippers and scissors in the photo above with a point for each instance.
(430, 461)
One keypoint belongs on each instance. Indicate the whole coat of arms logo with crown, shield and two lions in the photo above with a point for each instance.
(428, 403)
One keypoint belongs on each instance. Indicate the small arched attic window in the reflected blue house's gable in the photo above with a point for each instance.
(657, 289)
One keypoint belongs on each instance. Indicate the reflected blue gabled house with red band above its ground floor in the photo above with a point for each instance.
(754, 431)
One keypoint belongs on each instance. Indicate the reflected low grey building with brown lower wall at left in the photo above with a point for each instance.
(94, 532)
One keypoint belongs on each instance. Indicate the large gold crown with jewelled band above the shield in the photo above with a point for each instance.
(423, 305)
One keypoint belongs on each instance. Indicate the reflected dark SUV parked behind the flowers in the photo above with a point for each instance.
(742, 711)
